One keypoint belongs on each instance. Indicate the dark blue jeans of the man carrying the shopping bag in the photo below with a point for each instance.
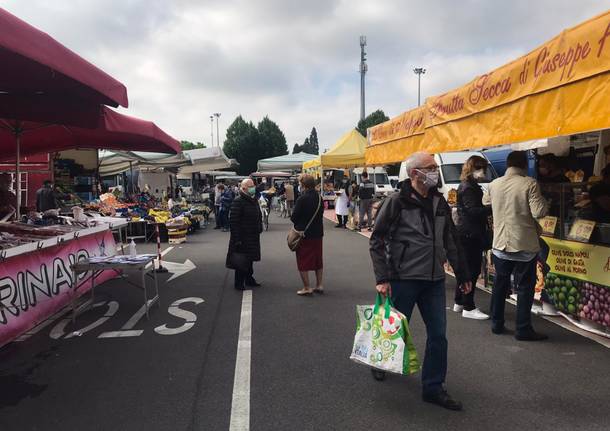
(430, 299)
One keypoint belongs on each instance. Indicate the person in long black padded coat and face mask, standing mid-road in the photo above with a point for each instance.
(246, 226)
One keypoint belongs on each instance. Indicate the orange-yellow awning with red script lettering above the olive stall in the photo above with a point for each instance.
(558, 89)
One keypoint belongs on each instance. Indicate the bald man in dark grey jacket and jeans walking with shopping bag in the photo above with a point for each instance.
(413, 237)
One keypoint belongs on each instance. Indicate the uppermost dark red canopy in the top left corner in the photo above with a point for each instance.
(33, 63)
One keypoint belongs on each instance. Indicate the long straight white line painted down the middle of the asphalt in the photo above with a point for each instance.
(240, 406)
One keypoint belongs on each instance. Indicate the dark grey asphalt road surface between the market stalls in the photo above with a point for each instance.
(178, 373)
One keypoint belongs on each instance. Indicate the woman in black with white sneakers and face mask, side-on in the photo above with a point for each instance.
(472, 230)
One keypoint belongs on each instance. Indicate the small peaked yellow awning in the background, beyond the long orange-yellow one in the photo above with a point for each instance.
(347, 152)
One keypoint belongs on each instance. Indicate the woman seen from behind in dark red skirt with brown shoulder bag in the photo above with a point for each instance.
(308, 207)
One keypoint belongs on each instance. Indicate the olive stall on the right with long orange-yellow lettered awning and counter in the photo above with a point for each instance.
(558, 91)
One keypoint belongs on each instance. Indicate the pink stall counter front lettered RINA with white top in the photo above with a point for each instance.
(35, 276)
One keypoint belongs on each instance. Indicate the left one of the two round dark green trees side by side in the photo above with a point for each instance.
(242, 144)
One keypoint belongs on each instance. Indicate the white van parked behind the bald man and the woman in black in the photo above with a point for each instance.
(450, 168)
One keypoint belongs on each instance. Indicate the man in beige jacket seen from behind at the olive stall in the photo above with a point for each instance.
(516, 203)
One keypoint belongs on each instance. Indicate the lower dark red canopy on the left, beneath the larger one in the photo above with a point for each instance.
(115, 132)
